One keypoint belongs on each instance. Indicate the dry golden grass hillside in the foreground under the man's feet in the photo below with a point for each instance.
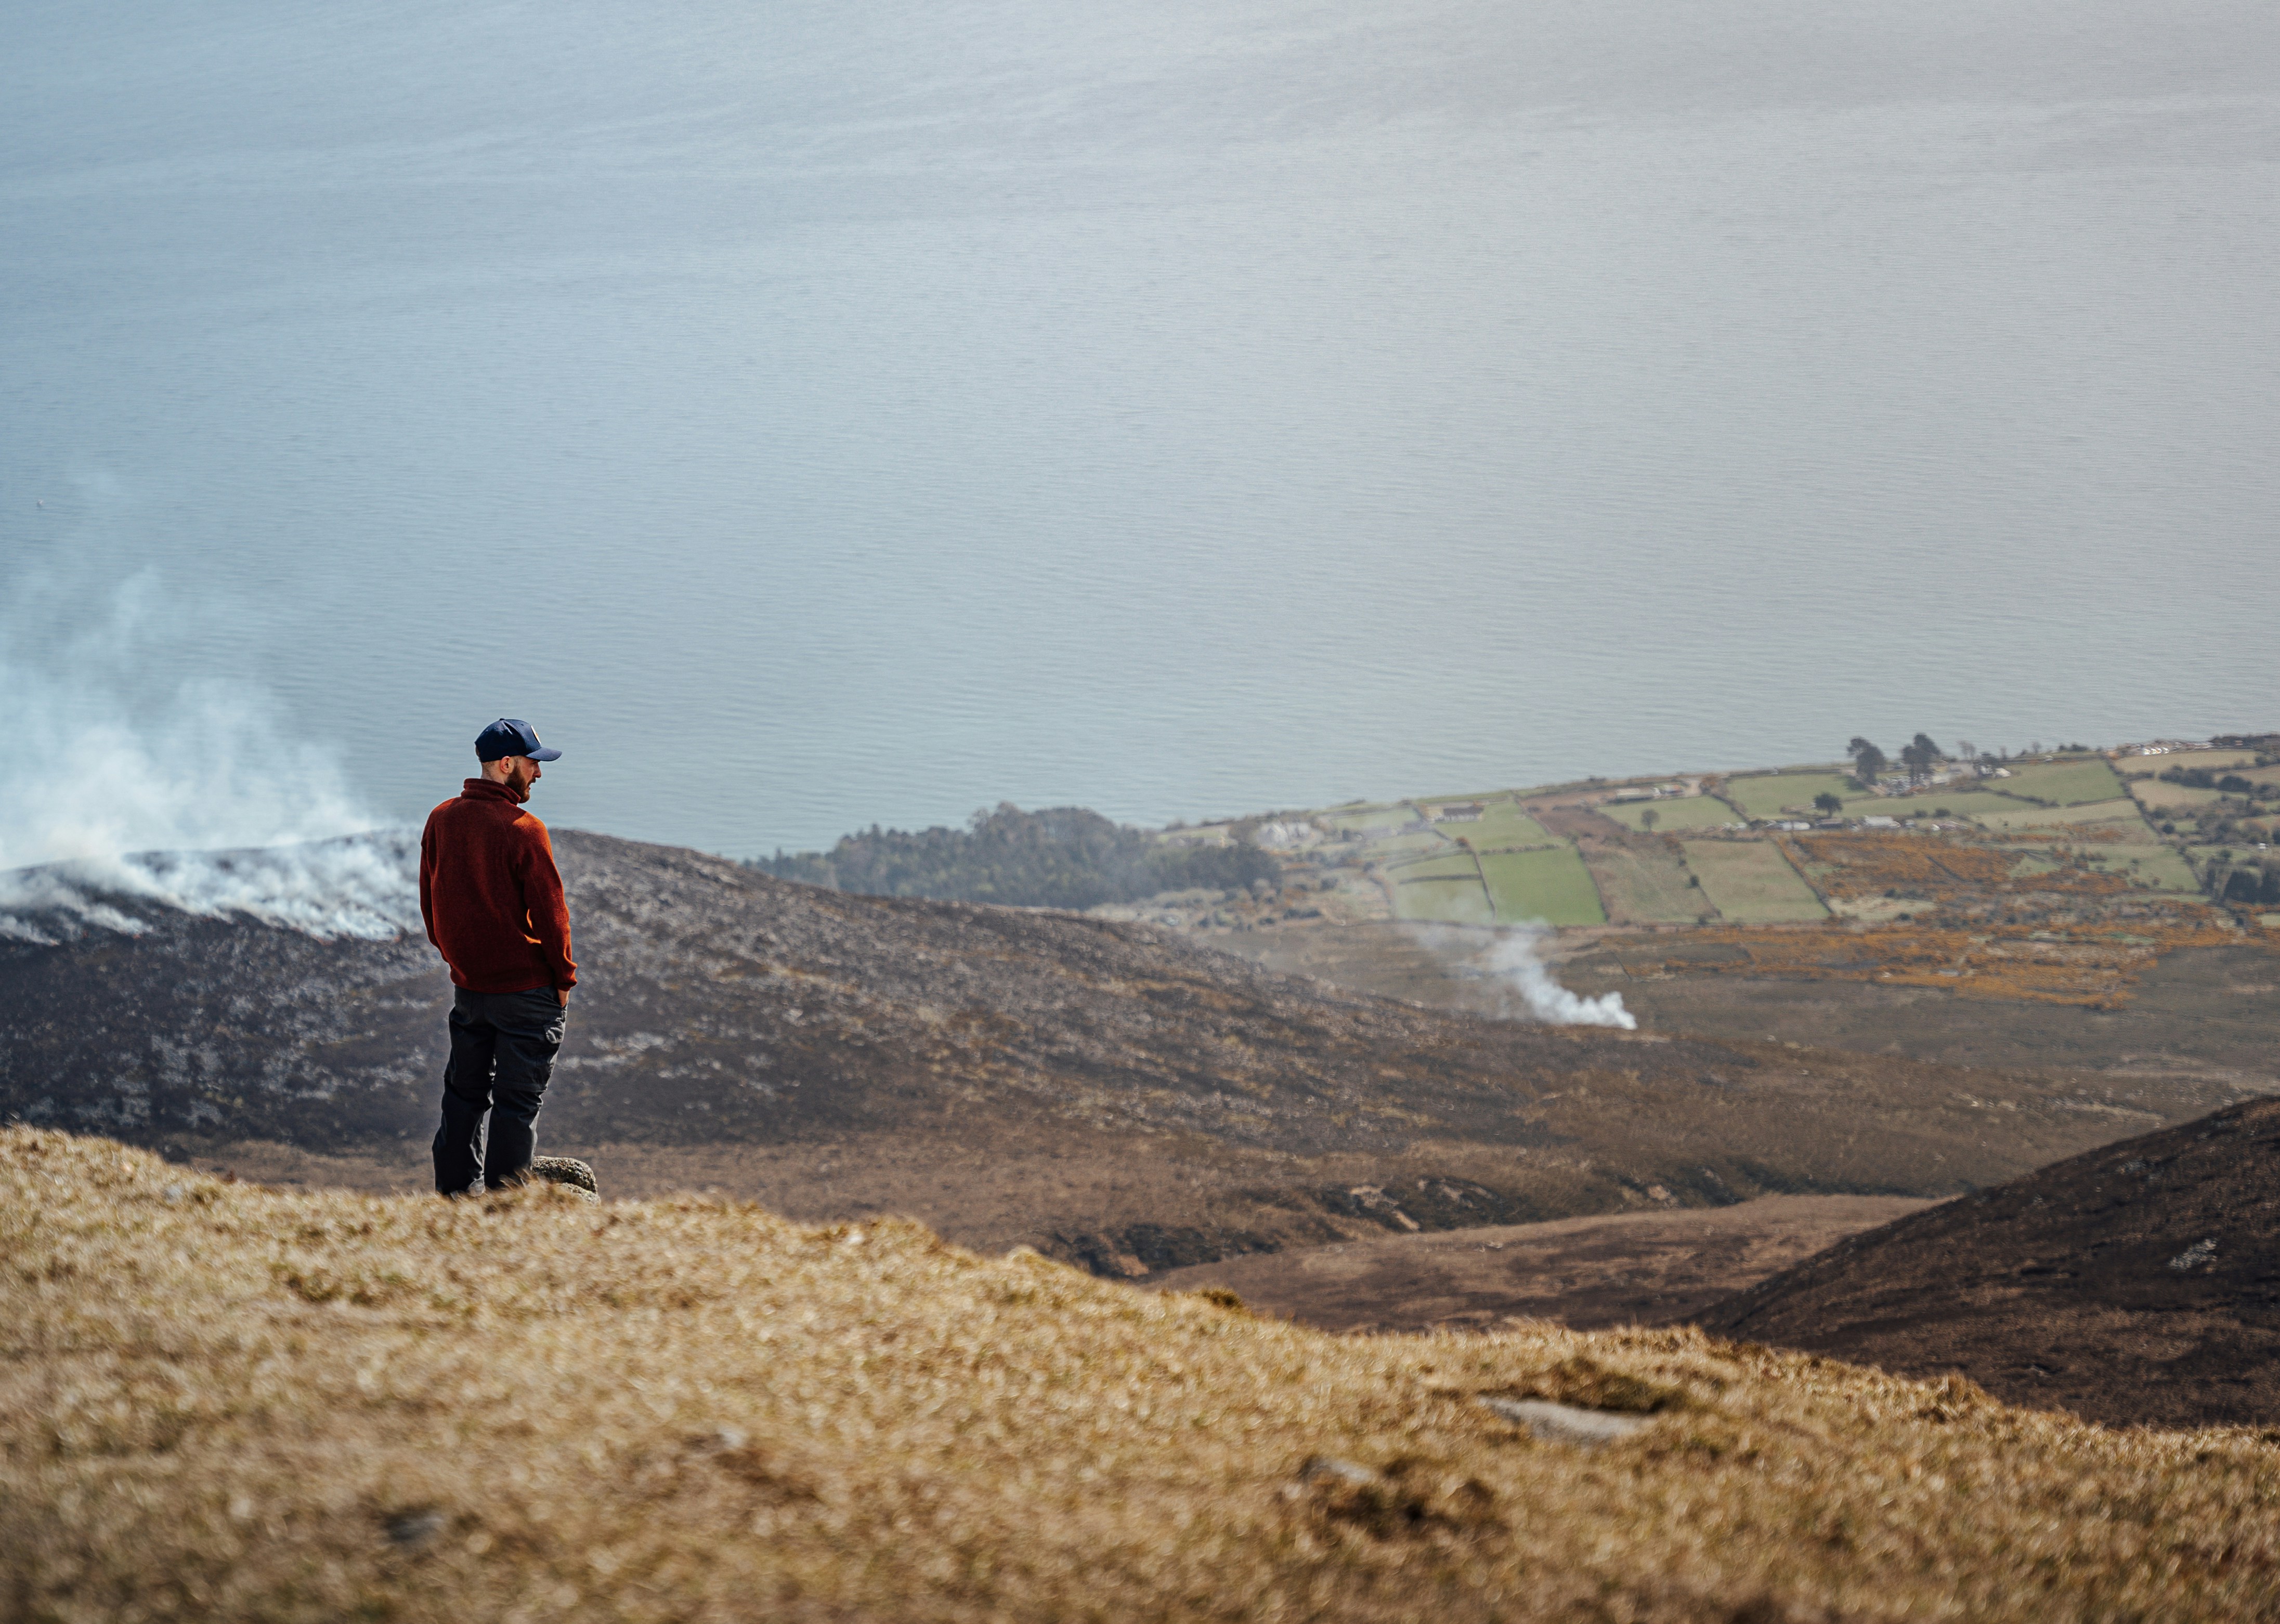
(241, 1404)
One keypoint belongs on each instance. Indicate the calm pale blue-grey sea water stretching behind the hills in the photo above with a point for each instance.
(817, 414)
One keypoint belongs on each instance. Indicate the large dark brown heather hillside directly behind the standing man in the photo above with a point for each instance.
(1107, 1094)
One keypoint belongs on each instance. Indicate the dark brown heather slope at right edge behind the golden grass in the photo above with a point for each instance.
(2137, 1283)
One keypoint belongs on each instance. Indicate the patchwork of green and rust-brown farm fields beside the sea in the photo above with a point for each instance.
(2051, 879)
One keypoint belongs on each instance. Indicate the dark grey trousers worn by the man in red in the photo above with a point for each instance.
(503, 1055)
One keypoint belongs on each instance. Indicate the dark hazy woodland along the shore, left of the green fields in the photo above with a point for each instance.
(1052, 859)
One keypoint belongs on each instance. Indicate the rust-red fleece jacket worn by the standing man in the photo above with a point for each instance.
(491, 895)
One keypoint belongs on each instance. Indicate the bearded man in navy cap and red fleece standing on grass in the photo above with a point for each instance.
(496, 911)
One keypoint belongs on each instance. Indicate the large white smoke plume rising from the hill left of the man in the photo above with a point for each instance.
(120, 793)
